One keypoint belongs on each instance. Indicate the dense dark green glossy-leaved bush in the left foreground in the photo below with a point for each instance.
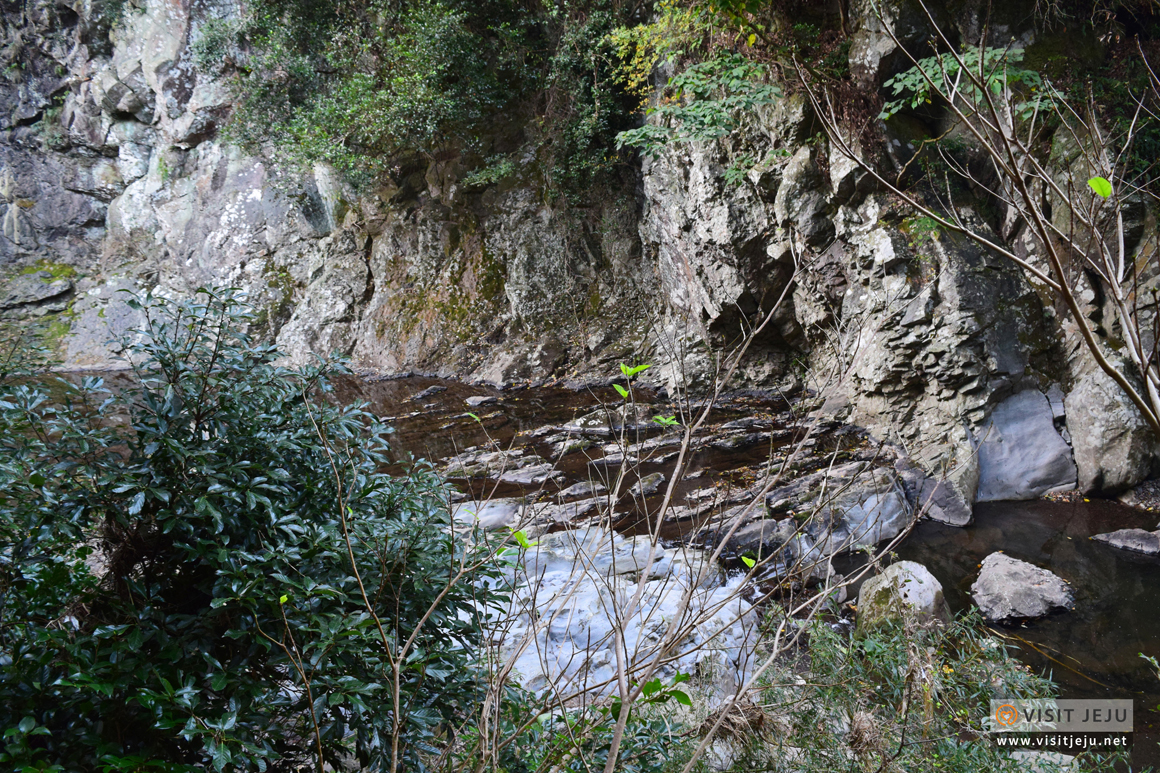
(206, 569)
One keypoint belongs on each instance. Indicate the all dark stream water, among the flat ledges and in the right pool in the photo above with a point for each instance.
(1092, 652)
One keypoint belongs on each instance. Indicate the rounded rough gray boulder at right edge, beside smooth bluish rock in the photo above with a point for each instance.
(1115, 450)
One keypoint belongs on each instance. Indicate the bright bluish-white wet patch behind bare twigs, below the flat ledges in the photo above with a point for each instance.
(579, 581)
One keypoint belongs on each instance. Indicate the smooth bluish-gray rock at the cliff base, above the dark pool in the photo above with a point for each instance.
(1021, 456)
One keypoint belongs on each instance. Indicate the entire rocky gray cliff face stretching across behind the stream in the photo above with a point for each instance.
(114, 177)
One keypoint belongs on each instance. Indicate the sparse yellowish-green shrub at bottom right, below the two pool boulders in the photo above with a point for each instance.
(903, 697)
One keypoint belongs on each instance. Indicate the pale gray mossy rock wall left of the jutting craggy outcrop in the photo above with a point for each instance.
(113, 172)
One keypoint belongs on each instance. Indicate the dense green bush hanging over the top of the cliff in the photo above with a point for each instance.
(371, 85)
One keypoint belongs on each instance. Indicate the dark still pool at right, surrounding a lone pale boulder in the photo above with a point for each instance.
(1093, 651)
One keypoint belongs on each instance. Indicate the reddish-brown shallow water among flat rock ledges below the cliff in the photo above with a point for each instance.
(441, 425)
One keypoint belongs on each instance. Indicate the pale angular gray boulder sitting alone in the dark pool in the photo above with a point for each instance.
(1011, 589)
